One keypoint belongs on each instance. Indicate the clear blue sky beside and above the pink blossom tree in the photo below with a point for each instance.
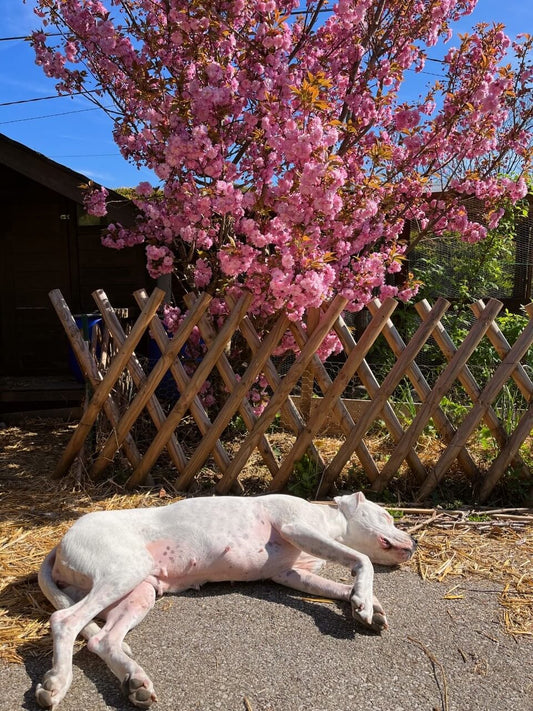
(72, 132)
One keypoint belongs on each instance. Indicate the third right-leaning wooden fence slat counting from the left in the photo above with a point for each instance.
(195, 383)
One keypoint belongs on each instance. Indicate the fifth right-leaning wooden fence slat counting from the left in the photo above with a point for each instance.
(298, 367)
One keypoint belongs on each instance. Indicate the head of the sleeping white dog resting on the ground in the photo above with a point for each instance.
(370, 530)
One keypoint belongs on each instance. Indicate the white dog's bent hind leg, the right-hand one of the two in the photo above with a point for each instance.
(108, 644)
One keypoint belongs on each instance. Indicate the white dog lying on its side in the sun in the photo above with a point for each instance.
(112, 564)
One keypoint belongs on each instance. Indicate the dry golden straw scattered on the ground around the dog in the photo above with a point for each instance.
(35, 512)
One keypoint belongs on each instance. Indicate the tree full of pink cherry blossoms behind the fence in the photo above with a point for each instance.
(288, 152)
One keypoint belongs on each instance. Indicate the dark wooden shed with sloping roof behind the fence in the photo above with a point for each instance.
(48, 241)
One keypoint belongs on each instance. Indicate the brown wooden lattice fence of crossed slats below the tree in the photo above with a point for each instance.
(116, 358)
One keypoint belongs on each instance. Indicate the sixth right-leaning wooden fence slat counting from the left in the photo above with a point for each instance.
(333, 392)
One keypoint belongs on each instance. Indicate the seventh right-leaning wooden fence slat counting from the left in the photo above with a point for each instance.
(334, 468)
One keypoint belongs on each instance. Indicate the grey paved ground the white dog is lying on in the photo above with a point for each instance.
(261, 647)
